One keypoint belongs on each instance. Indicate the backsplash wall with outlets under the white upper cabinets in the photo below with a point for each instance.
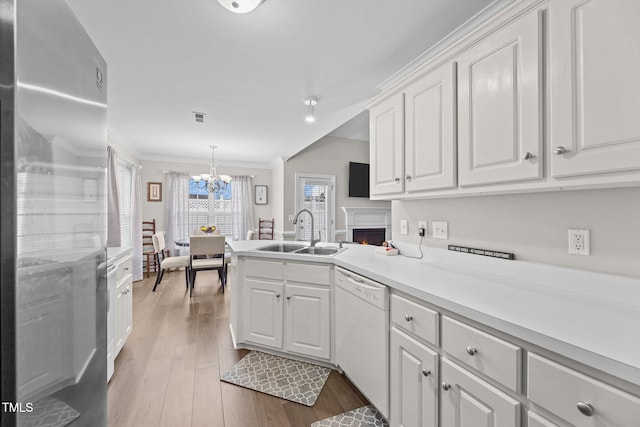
(534, 226)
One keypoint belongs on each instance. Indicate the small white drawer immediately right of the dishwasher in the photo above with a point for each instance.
(415, 318)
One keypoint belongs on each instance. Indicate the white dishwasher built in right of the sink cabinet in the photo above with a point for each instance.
(362, 335)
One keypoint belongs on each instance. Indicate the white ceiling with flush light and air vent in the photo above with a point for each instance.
(251, 73)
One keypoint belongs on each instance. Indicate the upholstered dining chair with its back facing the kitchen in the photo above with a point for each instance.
(207, 253)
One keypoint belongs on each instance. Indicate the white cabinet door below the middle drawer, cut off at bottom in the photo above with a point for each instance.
(468, 401)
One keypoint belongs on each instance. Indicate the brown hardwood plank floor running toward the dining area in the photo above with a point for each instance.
(168, 373)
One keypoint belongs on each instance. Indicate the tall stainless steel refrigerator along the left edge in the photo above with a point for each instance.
(53, 102)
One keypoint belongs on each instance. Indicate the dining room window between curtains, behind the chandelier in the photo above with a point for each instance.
(209, 209)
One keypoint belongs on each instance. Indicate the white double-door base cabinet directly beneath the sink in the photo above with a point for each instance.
(282, 312)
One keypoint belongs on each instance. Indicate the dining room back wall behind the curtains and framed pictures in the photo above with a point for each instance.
(152, 171)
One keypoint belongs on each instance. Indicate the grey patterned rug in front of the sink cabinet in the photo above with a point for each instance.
(285, 378)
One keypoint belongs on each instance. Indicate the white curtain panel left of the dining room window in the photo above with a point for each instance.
(177, 210)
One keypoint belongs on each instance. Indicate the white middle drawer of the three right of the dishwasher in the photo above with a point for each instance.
(498, 359)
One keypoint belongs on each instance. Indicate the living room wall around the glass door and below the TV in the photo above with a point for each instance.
(330, 155)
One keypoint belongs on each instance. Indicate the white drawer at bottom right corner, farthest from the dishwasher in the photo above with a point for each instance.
(562, 391)
